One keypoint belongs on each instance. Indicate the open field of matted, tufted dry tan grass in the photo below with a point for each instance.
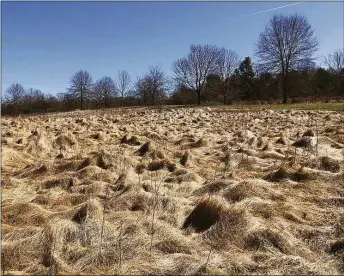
(174, 191)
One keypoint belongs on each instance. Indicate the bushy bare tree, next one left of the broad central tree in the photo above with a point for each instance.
(153, 86)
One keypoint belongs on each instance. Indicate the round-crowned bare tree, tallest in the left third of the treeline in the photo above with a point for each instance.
(80, 86)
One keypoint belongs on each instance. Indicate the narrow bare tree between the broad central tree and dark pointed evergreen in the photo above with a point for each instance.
(228, 62)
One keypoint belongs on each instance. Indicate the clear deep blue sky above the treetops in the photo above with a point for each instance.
(44, 43)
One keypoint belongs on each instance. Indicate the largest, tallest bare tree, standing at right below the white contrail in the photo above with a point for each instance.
(287, 43)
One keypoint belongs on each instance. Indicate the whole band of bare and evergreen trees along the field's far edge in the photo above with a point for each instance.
(283, 69)
